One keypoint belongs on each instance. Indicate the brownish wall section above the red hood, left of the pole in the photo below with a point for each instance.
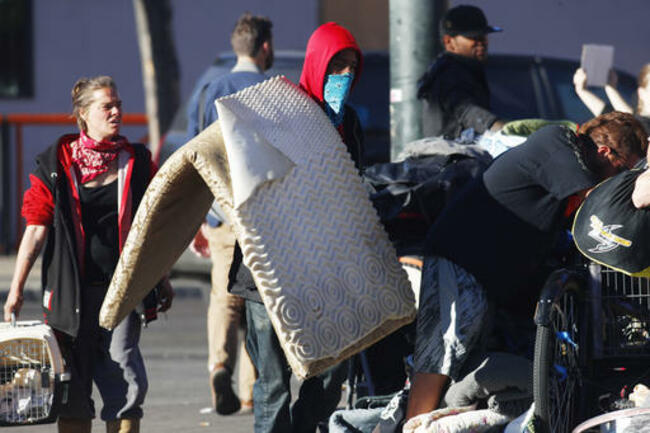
(366, 19)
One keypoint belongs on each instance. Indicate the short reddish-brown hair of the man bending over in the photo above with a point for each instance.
(621, 132)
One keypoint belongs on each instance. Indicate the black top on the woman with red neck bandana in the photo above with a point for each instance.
(99, 219)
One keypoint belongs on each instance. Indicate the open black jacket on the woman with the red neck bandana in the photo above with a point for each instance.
(61, 275)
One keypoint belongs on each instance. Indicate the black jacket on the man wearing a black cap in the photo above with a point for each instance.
(456, 97)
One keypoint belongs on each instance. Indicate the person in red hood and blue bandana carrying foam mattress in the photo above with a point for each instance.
(332, 66)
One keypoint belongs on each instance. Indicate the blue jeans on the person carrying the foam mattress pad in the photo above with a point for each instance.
(318, 396)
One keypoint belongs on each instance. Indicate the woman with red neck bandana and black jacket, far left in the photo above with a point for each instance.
(83, 196)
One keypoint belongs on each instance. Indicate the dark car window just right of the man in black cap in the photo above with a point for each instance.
(512, 89)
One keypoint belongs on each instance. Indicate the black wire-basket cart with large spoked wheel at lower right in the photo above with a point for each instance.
(592, 343)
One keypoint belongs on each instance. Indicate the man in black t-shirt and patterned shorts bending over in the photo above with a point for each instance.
(488, 243)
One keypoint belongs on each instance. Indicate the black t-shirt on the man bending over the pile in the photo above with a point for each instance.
(503, 225)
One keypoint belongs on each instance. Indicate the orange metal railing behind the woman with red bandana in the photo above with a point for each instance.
(19, 120)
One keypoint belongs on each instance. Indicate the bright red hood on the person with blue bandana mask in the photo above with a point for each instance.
(324, 43)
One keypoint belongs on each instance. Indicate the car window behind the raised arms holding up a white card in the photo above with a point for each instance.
(560, 76)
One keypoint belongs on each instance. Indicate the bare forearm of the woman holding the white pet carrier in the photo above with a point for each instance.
(30, 247)
